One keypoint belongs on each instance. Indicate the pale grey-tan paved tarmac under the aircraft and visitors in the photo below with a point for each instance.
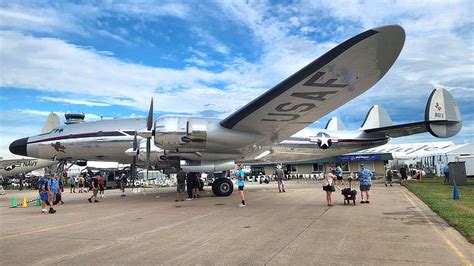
(292, 228)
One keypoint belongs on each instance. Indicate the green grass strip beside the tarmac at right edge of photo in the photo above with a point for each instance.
(439, 197)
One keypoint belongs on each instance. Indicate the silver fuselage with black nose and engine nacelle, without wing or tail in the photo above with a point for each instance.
(196, 139)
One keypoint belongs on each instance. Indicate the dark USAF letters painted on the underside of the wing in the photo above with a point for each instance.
(285, 112)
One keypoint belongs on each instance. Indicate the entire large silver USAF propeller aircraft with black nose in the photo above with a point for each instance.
(271, 128)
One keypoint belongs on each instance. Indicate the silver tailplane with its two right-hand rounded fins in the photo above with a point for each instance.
(442, 119)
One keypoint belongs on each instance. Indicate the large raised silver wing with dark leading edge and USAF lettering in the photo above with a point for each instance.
(330, 81)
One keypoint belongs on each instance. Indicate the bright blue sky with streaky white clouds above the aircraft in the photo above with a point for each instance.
(208, 58)
